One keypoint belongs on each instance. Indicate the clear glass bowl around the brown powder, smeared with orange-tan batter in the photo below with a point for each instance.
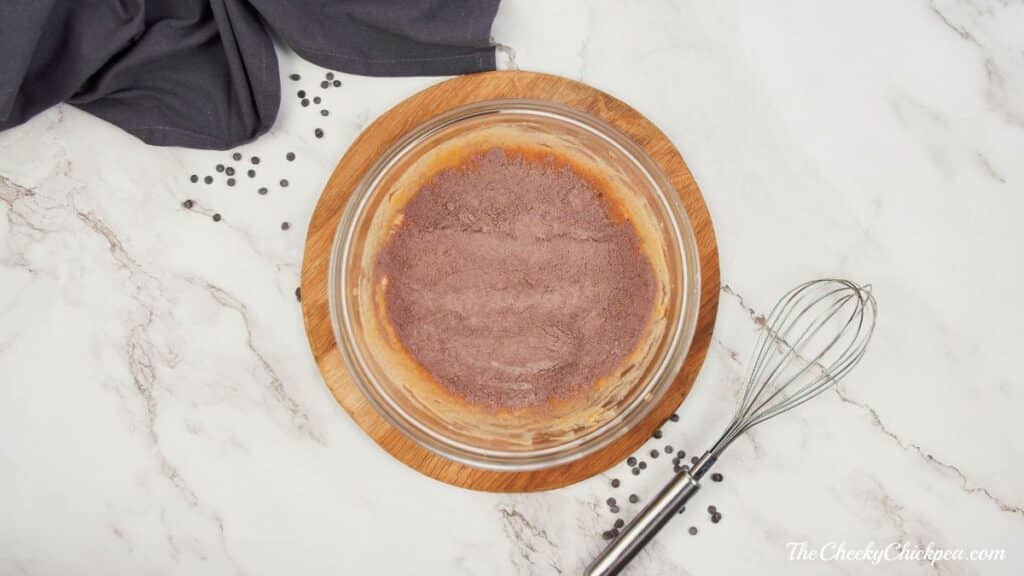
(524, 439)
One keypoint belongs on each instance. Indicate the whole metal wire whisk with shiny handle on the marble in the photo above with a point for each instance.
(814, 337)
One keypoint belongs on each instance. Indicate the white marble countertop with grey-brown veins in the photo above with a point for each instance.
(160, 413)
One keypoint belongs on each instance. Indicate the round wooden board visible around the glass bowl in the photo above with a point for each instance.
(368, 148)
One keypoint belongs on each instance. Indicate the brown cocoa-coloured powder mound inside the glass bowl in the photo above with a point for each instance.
(511, 284)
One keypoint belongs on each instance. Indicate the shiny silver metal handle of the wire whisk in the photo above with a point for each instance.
(644, 528)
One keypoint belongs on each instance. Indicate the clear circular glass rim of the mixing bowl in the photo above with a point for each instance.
(655, 387)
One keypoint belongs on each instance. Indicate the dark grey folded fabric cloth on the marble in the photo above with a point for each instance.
(204, 73)
